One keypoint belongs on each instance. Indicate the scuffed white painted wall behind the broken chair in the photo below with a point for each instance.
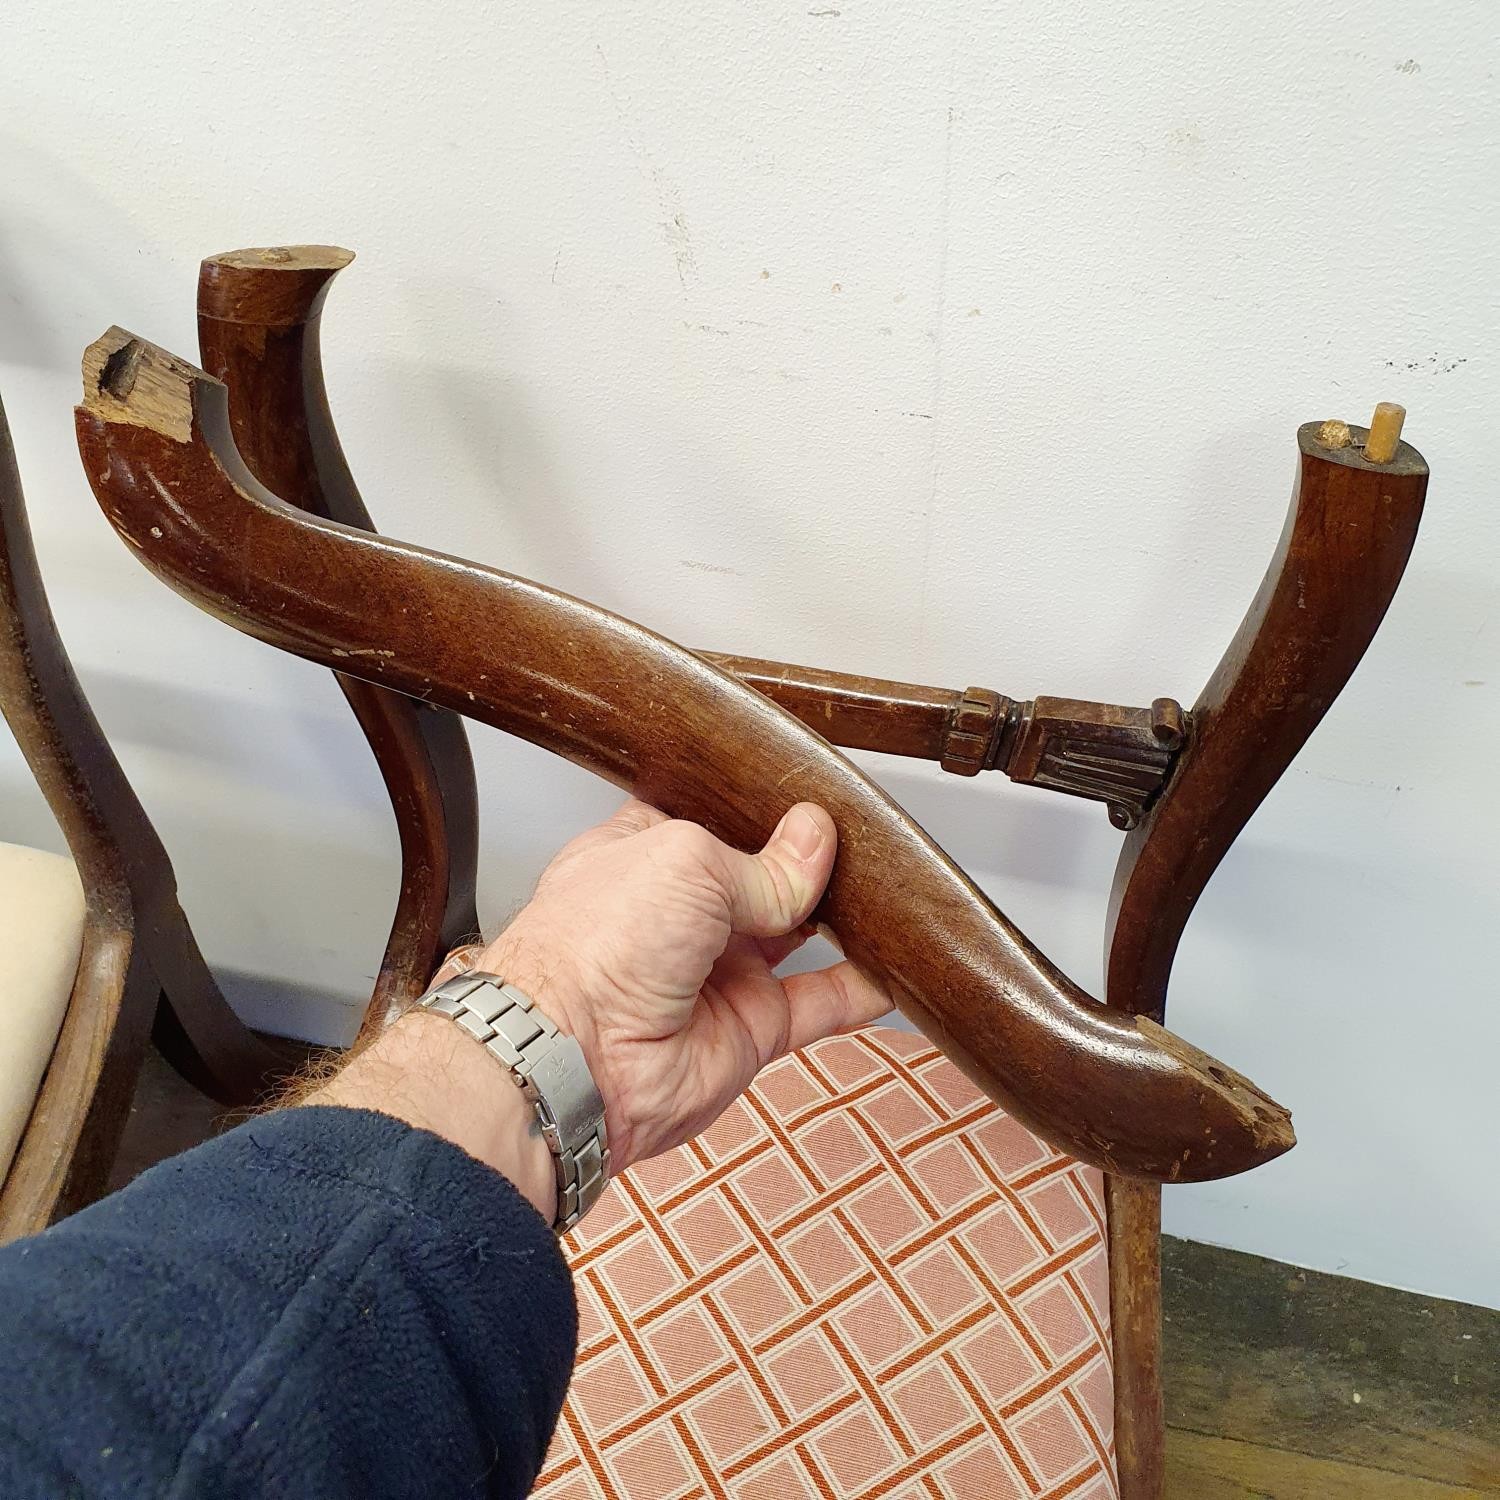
(953, 343)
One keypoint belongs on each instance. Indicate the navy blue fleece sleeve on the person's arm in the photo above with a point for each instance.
(322, 1303)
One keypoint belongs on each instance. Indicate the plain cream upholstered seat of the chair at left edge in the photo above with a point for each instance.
(41, 937)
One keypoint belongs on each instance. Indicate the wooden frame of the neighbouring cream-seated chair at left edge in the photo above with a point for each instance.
(140, 970)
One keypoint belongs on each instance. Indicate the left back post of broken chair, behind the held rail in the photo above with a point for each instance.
(259, 332)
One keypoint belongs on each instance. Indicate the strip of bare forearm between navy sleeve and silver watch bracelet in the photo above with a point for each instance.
(425, 1072)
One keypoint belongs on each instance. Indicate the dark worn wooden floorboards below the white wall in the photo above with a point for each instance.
(1282, 1384)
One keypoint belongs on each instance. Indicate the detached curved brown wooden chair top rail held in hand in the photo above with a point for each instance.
(656, 719)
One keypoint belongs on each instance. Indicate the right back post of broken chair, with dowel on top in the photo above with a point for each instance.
(1349, 533)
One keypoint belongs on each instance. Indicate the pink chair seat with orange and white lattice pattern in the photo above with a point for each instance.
(865, 1282)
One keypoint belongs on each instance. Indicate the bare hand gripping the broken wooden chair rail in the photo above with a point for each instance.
(655, 946)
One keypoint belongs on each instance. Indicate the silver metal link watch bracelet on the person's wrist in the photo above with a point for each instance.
(553, 1075)
